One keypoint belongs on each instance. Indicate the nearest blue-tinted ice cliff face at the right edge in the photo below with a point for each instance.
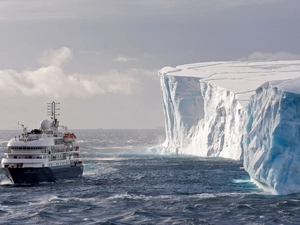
(272, 138)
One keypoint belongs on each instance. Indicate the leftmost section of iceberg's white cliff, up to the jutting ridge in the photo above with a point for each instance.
(183, 108)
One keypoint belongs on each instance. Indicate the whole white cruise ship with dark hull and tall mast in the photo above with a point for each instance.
(46, 154)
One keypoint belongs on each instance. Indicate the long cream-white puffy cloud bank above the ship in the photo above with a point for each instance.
(50, 80)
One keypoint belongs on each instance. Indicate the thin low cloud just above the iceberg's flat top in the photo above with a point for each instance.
(256, 56)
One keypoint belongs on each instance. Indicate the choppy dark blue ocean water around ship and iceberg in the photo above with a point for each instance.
(125, 183)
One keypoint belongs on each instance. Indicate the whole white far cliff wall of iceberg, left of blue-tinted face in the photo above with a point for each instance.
(201, 118)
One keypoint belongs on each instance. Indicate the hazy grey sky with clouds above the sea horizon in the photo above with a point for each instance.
(100, 58)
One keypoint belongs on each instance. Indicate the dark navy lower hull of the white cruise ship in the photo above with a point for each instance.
(42, 174)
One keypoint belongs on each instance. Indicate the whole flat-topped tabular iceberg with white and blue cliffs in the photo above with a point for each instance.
(237, 110)
